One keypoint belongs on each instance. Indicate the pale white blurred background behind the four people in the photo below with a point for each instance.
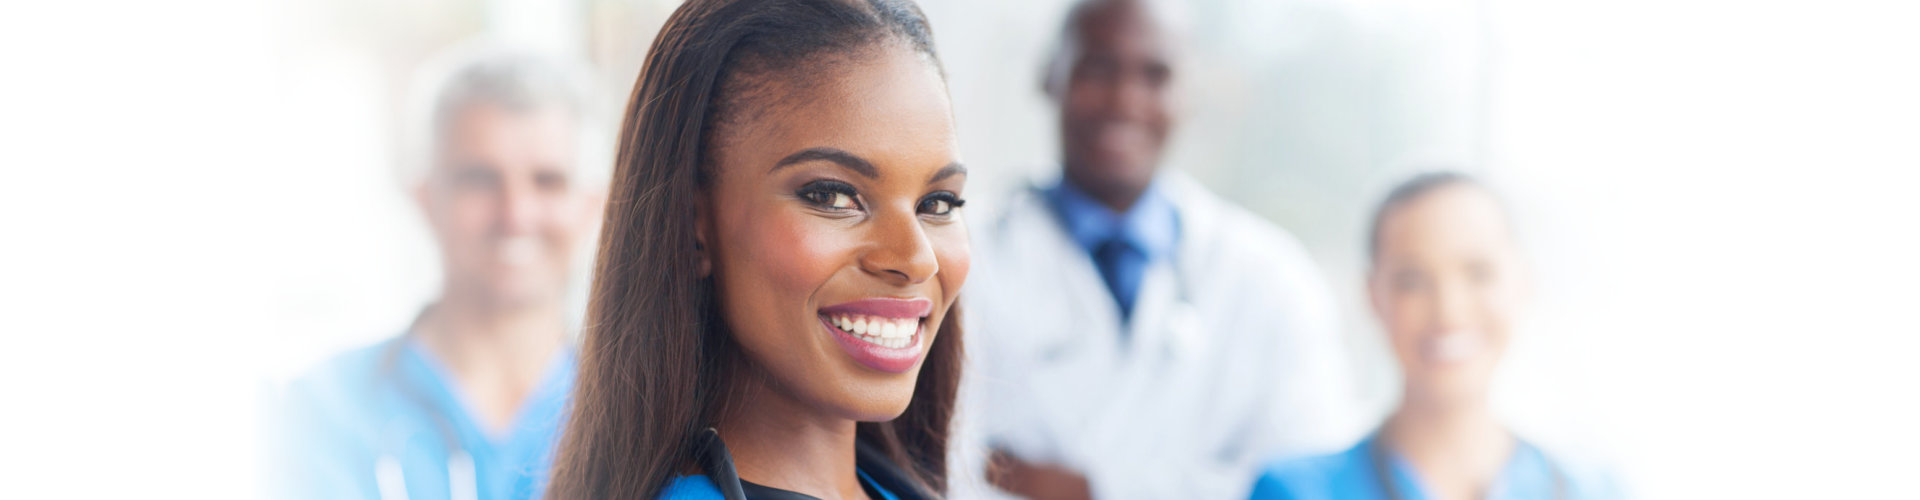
(201, 199)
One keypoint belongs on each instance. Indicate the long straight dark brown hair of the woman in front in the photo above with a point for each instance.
(656, 359)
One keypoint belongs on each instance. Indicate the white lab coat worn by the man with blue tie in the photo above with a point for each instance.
(1234, 355)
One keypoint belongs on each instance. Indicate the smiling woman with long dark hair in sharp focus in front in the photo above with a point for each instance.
(773, 309)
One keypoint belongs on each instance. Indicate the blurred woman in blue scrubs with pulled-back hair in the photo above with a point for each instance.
(1447, 284)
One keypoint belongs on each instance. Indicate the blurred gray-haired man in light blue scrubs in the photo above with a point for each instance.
(466, 403)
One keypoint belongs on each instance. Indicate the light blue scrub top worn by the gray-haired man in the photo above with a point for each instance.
(396, 405)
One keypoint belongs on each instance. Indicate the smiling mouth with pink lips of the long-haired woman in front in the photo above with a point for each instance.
(880, 334)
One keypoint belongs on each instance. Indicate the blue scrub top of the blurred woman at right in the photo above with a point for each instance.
(1351, 474)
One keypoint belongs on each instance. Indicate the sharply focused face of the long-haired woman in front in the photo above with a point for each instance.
(834, 230)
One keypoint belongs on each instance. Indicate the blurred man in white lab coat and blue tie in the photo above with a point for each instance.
(1132, 334)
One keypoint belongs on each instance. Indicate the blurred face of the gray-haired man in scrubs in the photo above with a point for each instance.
(506, 205)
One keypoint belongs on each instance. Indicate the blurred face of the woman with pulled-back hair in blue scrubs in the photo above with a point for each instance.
(1447, 286)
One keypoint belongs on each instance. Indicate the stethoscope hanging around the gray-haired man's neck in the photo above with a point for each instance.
(389, 474)
